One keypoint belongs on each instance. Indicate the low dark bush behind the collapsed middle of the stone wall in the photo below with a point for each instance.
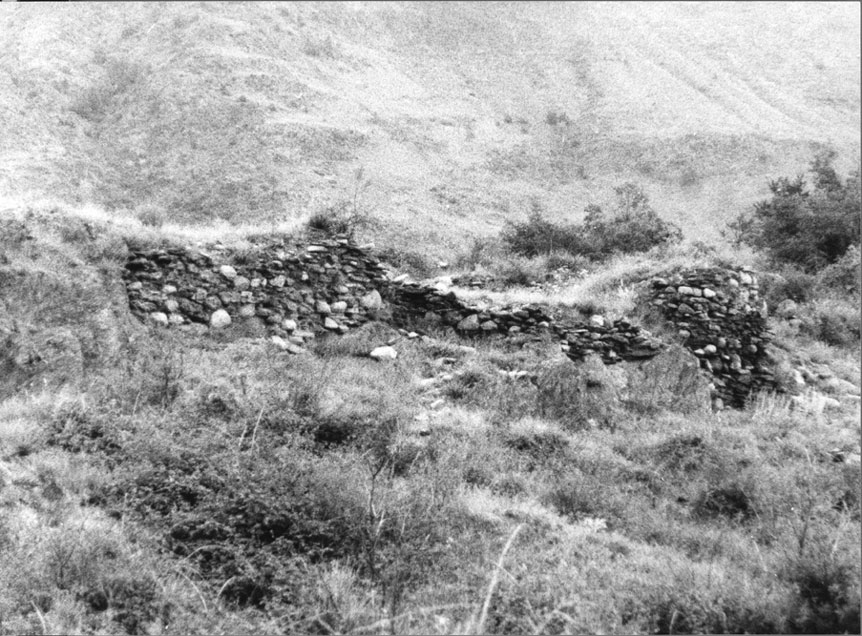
(634, 227)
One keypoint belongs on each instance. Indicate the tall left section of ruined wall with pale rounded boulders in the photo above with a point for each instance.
(296, 290)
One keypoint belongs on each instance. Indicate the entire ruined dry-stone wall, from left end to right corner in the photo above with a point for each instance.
(297, 292)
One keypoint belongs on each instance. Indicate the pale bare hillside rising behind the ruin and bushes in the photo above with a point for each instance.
(458, 114)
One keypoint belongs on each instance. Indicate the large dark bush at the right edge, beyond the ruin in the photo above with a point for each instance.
(807, 228)
